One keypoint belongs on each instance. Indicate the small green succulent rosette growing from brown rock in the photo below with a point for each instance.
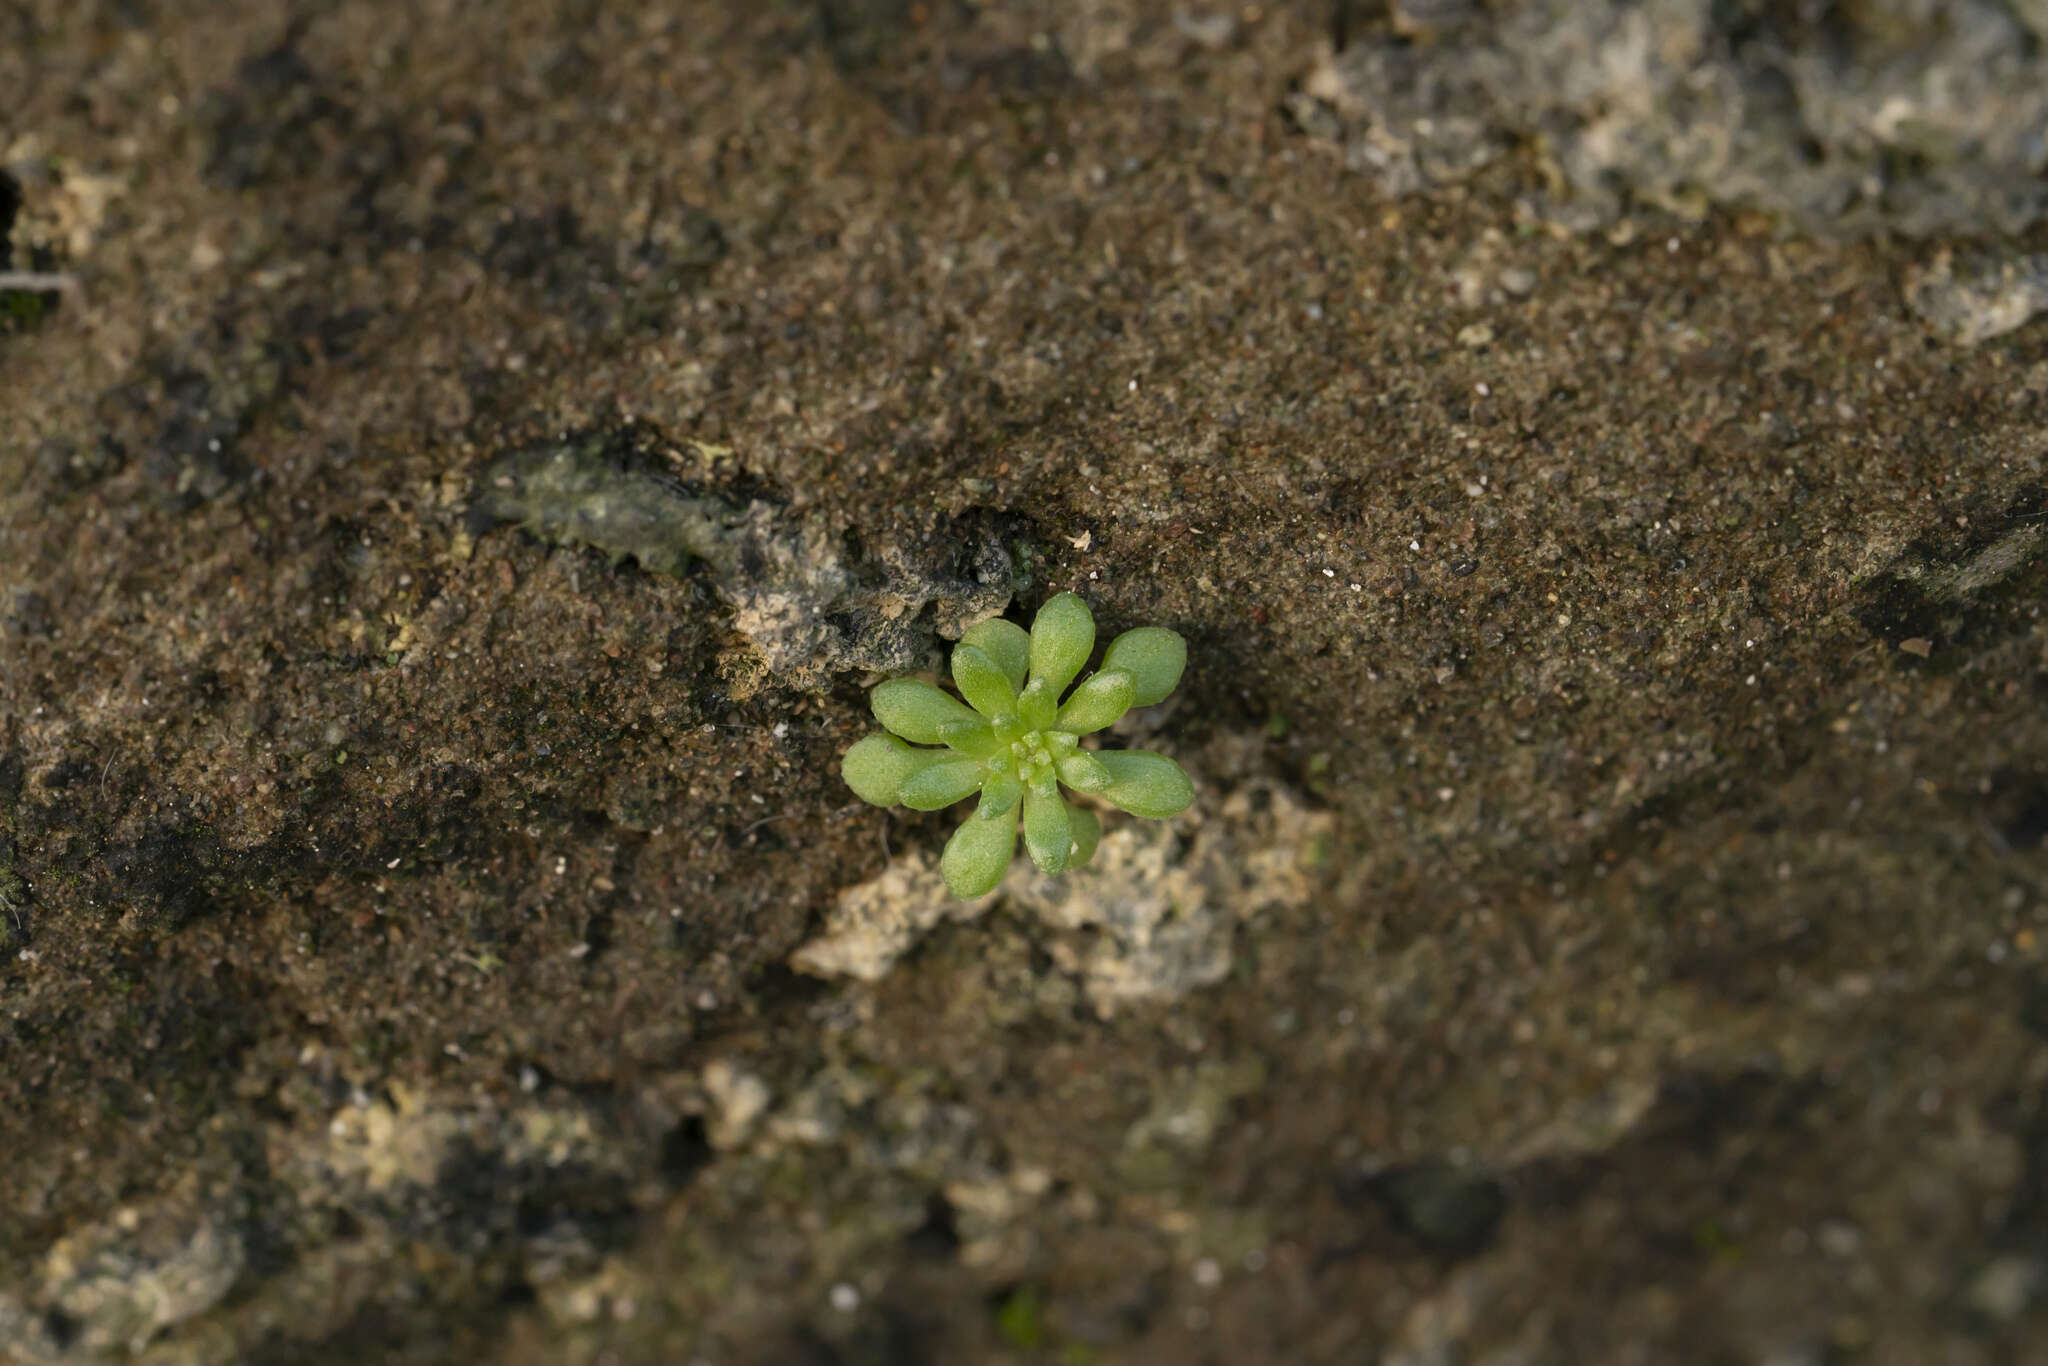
(1019, 738)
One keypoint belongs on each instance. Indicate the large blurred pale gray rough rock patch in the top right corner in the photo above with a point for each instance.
(1902, 116)
